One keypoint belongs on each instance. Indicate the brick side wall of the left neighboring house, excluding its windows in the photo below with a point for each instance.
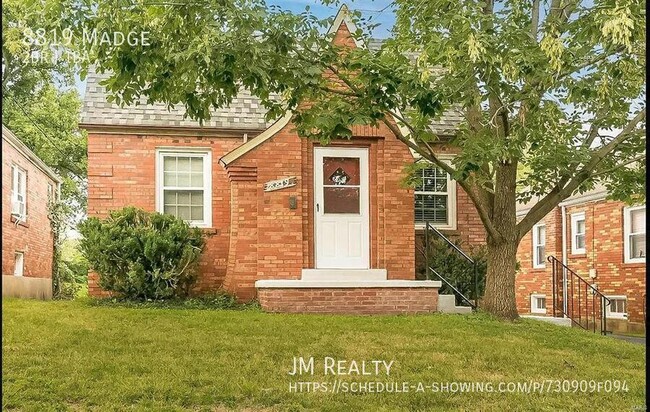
(34, 237)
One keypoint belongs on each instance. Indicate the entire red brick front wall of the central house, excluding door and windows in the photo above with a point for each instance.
(256, 235)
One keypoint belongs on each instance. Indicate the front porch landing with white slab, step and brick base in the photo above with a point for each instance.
(348, 292)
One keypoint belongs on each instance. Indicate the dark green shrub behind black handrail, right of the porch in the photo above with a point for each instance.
(455, 268)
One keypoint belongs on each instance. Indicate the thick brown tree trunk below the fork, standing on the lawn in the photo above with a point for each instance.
(499, 296)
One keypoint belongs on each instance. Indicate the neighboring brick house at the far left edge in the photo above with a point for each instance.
(27, 240)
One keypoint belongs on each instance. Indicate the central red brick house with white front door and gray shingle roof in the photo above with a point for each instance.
(299, 226)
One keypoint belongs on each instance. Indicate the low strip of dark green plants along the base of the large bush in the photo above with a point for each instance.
(218, 301)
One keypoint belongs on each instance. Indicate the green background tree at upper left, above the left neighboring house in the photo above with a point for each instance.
(39, 101)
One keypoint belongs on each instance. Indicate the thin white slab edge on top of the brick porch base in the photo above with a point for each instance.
(302, 284)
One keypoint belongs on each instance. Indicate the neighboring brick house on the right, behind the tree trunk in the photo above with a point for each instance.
(603, 241)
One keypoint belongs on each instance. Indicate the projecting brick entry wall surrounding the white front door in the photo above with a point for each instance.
(283, 242)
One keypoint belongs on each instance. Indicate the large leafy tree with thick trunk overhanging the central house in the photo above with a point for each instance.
(557, 86)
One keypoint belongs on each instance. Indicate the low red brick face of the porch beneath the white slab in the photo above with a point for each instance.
(350, 300)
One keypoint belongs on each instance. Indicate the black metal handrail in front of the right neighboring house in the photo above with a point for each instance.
(573, 283)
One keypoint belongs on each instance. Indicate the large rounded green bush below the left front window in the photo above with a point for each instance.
(142, 255)
